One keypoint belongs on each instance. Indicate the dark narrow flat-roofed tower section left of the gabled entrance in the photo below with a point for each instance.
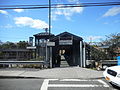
(42, 50)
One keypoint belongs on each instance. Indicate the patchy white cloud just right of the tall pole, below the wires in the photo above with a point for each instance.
(67, 12)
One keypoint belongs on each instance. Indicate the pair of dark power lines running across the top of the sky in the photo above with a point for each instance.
(2, 7)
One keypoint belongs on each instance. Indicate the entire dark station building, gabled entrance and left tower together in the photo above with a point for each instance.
(66, 49)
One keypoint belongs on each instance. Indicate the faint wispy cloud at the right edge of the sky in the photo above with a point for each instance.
(112, 12)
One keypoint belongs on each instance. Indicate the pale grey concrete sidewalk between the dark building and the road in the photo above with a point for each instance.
(68, 72)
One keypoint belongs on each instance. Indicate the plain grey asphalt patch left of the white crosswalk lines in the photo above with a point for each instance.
(20, 84)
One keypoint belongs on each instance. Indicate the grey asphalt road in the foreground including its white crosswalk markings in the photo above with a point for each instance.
(54, 84)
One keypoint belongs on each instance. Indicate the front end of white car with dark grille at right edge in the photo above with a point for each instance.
(112, 75)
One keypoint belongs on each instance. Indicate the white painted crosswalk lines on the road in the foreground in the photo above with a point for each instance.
(46, 84)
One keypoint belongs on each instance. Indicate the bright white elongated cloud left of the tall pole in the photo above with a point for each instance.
(33, 23)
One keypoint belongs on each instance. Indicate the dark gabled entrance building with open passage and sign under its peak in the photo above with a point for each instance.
(67, 45)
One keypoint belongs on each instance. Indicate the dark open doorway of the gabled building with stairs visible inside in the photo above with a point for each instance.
(64, 56)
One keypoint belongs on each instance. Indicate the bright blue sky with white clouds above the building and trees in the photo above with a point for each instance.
(87, 22)
